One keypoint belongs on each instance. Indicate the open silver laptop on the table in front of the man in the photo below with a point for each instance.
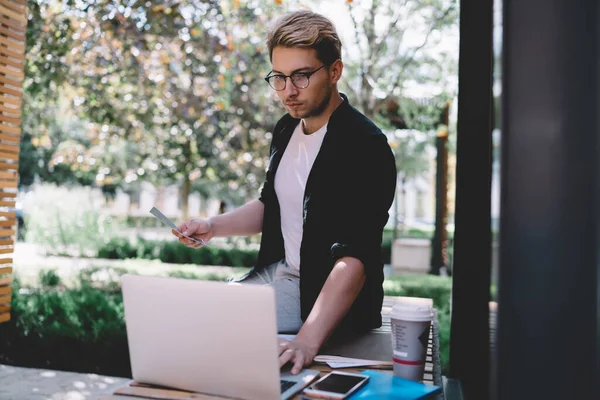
(206, 337)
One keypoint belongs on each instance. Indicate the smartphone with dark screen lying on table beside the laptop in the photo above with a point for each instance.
(336, 385)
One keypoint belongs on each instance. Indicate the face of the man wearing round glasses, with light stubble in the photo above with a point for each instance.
(312, 100)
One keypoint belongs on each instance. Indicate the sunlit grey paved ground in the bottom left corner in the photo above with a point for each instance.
(37, 384)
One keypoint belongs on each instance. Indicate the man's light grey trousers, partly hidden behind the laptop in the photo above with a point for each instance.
(286, 282)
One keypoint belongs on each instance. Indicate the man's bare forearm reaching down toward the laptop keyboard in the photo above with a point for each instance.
(337, 296)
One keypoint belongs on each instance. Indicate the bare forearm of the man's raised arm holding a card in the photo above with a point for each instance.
(243, 221)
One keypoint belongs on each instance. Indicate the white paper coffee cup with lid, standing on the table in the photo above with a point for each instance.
(411, 322)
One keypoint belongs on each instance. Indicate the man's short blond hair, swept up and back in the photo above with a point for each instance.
(306, 29)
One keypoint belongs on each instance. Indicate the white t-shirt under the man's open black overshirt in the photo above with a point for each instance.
(290, 182)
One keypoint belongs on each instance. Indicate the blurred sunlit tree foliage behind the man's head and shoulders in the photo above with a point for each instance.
(171, 92)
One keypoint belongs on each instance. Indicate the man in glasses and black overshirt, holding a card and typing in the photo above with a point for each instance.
(325, 201)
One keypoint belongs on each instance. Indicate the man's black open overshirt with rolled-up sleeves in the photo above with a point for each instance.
(348, 193)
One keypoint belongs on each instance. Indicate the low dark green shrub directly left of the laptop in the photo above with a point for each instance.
(54, 327)
